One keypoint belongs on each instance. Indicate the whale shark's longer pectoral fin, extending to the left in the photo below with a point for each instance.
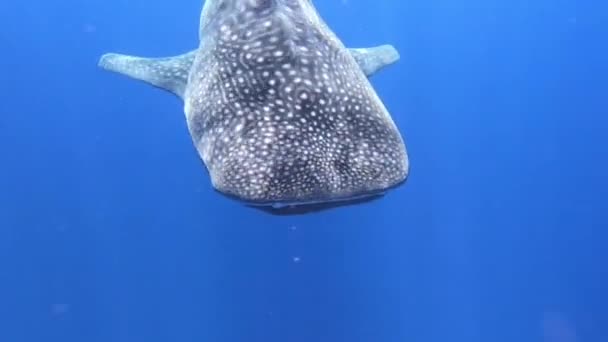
(168, 73)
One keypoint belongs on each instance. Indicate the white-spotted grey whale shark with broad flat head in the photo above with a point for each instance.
(280, 111)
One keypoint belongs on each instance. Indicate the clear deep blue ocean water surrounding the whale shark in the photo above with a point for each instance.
(110, 231)
